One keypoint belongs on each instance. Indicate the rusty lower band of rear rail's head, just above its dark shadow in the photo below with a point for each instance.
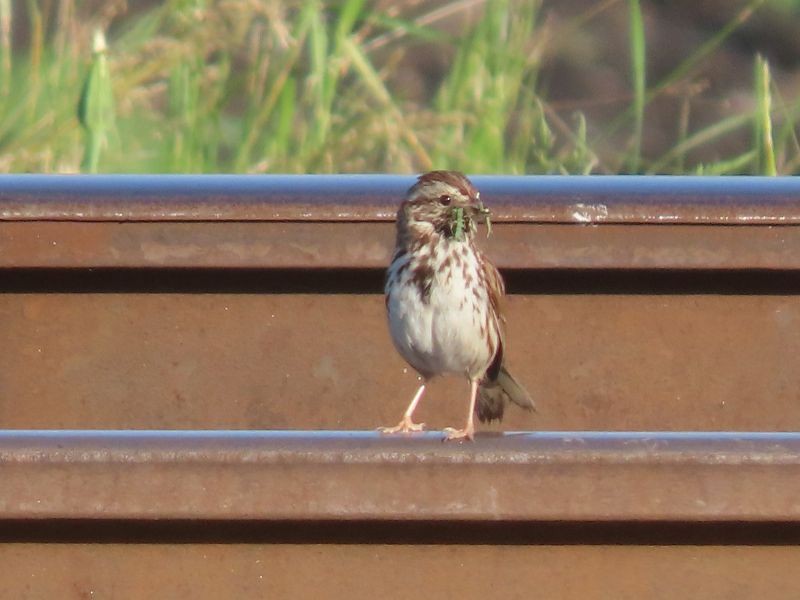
(308, 245)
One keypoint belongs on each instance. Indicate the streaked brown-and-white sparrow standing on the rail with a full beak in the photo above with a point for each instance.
(443, 299)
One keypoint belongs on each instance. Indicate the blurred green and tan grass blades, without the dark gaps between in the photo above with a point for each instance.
(196, 86)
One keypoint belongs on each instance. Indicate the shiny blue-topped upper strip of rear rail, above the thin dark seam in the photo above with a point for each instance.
(528, 199)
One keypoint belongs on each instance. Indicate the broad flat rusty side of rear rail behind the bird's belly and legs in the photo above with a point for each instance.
(261, 351)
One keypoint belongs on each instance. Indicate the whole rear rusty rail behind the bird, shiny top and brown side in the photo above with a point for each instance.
(188, 302)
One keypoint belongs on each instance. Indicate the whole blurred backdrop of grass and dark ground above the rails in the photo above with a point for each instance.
(485, 86)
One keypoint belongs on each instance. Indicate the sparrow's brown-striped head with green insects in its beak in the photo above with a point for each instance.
(442, 202)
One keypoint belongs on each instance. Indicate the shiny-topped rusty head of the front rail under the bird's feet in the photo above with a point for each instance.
(554, 476)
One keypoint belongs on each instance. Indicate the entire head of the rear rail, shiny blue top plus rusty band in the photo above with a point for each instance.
(303, 222)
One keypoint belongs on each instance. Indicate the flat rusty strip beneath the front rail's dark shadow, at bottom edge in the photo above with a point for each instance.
(363, 571)
